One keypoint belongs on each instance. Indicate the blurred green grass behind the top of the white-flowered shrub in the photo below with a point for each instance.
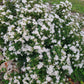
(78, 5)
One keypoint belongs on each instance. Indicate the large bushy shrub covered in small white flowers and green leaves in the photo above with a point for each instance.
(46, 44)
